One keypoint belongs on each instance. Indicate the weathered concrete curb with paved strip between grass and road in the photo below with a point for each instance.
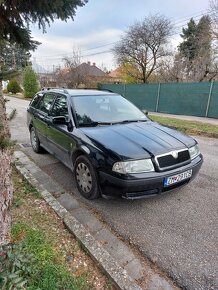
(117, 261)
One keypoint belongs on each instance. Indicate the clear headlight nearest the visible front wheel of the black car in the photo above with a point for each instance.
(137, 166)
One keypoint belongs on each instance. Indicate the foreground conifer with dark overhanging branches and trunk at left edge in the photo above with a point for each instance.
(15, 18)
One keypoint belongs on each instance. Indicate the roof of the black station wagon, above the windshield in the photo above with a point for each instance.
(79, 92)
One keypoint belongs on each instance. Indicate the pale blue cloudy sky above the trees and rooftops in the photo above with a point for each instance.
(100, 23)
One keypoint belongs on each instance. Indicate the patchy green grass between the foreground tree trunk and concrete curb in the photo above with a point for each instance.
(49, 272)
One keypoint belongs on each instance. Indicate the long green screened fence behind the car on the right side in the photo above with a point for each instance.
(194, 99)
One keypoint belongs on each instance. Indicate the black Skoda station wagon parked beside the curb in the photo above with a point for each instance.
(112, 147)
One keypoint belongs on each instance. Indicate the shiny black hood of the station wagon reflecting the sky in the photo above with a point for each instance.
(137, 140)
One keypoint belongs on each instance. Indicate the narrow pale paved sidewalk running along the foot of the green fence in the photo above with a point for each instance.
(187, 118)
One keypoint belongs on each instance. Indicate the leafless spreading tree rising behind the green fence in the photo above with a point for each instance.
(143, 45)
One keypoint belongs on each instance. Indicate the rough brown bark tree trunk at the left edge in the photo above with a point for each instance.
(5, 174)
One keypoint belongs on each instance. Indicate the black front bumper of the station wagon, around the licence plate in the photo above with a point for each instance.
(146, 185)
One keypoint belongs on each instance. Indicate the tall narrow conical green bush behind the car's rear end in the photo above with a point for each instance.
(30, 83)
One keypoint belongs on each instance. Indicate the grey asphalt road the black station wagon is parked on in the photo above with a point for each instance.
(177, 231)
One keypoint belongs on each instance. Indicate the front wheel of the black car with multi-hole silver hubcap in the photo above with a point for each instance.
(86, 178)
